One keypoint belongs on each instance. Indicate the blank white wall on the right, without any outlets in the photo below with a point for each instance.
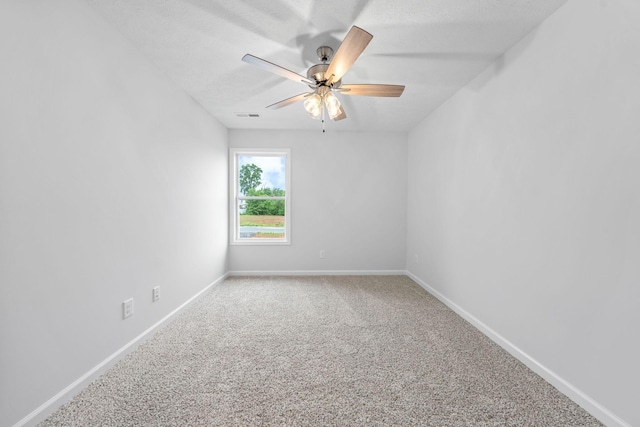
(524, 201)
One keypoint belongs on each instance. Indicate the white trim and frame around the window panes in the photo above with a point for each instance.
(234, 215)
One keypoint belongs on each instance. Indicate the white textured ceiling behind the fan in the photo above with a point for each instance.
(434, 47)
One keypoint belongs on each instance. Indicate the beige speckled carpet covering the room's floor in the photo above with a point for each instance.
(315, 351)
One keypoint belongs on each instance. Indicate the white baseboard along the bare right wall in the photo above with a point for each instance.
(590, 405)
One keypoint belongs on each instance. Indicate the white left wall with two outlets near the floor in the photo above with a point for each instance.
(112, 181)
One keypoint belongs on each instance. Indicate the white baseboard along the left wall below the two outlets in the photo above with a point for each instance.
(48, 407)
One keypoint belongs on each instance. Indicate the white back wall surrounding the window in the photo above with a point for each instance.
(348, 197)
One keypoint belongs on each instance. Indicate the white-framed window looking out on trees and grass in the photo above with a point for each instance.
(260, 196)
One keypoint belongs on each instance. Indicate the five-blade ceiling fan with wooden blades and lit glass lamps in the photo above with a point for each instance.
(325, 79)
